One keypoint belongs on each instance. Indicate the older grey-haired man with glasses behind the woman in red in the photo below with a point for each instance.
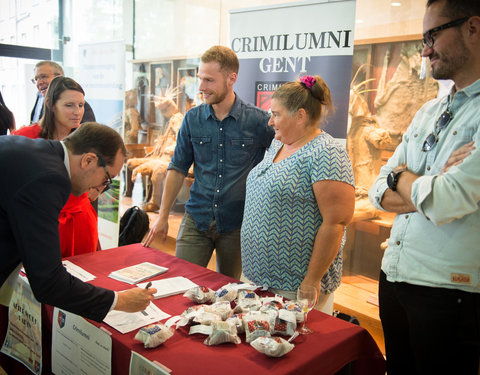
(45, 72)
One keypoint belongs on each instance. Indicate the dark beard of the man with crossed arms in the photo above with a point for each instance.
(449, 63)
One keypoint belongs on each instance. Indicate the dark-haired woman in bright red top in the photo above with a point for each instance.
(63, 111)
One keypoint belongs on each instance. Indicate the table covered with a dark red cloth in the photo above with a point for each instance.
(334, 344)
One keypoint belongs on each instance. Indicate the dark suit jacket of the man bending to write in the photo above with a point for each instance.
(35, 186)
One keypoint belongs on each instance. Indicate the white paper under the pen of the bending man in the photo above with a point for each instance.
(126, 322)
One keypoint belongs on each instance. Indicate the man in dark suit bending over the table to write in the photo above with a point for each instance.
(38, 176)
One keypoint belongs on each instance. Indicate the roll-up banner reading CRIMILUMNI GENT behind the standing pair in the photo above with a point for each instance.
(280, 43)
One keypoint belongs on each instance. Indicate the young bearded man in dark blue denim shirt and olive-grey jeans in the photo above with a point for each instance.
(224, 138)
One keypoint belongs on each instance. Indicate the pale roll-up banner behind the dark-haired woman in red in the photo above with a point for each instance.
(102, 75)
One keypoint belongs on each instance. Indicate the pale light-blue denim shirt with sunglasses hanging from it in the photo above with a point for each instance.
(438, 246)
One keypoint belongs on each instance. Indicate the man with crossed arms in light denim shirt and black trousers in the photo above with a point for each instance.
(429, 290)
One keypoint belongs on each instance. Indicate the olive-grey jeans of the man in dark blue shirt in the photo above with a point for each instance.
(197, 247)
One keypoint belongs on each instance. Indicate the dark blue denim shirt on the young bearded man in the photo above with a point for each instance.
(222, 153)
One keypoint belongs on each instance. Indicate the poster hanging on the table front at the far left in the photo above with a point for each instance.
(23, 340)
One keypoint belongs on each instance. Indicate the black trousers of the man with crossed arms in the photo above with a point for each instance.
(429, 330)
